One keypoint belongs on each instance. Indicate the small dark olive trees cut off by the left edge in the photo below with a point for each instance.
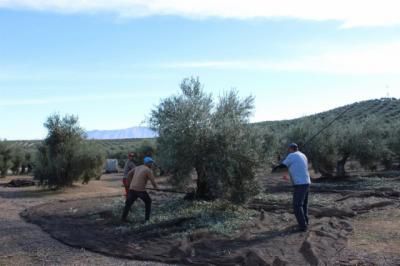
(13, 158)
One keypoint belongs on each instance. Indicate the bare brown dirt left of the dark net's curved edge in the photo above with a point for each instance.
(24, 243)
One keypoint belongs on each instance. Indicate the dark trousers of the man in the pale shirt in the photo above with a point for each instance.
(300, 204)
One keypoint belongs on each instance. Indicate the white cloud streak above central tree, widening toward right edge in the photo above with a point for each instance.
(369, 59)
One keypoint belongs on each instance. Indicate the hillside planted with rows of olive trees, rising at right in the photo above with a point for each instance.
(386, 110)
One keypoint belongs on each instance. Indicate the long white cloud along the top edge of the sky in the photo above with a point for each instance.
(352, 13)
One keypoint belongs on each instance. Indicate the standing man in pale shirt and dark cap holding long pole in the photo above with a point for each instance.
(297, 164)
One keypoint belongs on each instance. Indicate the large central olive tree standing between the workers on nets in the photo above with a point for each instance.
(213, 139)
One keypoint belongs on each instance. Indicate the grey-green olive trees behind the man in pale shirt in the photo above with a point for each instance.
(369, 142)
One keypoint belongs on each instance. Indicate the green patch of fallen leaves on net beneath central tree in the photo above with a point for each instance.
(218, 217)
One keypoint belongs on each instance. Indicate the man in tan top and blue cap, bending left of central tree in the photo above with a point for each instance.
(137, 189)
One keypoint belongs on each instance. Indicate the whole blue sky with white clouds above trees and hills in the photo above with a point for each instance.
(110, 62)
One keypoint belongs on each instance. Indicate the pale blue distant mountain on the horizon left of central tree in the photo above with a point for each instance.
(129, 133)
